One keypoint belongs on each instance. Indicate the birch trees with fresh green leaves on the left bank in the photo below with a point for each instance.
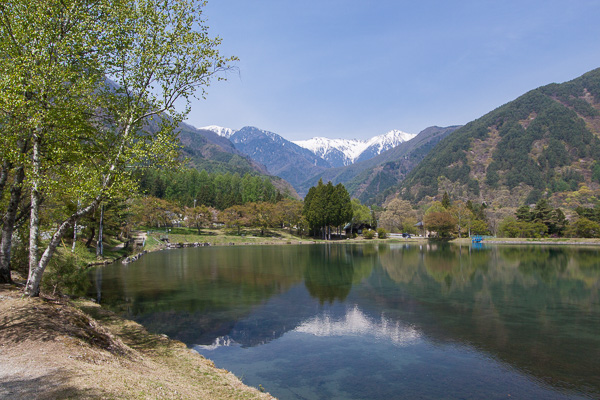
(70, 136)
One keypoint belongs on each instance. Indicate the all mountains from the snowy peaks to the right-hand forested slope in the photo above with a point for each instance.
(545, 143)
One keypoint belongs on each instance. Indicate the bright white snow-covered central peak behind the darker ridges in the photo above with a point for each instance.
(341, 152)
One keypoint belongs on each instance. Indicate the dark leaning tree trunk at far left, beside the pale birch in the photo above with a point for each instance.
(8, 224)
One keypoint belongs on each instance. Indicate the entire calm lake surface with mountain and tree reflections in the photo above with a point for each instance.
(337, 321)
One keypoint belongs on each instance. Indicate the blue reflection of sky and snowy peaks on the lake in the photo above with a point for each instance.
(352, 355)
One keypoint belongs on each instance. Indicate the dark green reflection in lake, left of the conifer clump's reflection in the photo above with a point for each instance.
(195, 295)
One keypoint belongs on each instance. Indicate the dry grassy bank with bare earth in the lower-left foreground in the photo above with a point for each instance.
(51, 348)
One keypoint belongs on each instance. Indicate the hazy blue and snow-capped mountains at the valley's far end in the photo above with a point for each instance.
(355, 163)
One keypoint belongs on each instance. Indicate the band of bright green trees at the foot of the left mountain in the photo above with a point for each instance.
(190, 187)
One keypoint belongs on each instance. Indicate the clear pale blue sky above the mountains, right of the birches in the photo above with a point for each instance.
(356, 69)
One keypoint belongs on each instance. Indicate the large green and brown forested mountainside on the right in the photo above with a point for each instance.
(545, 143)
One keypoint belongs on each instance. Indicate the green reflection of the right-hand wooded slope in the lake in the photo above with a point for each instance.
(534, 307)
